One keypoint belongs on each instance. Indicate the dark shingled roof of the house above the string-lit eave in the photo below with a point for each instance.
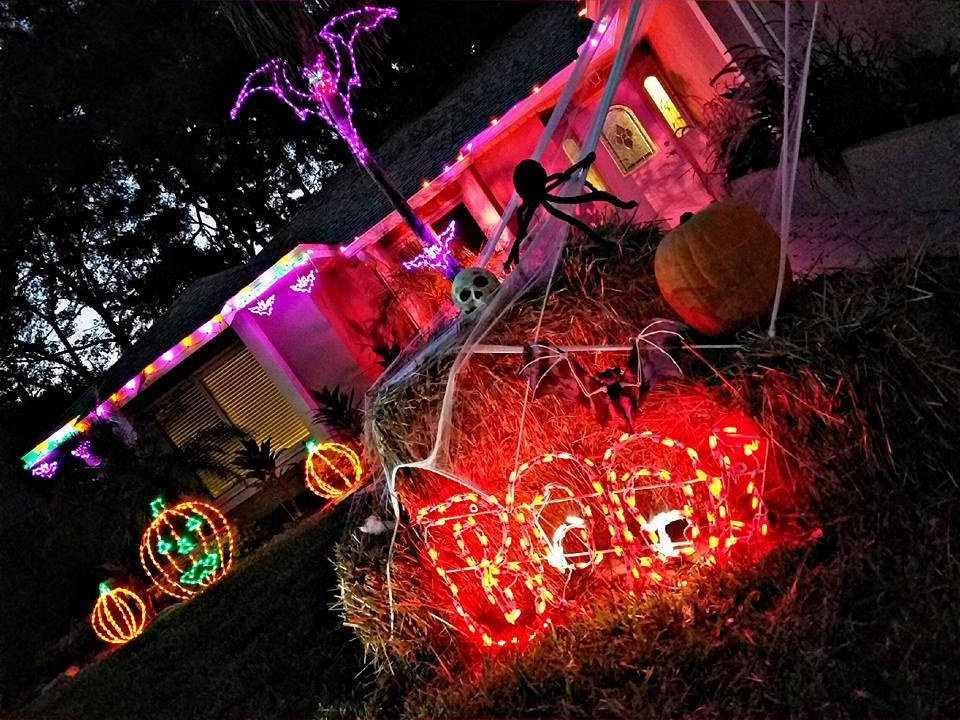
(538, 46)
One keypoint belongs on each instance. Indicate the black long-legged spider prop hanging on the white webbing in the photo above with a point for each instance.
(533, 185)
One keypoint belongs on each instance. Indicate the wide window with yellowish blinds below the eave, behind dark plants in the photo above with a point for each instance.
(235, 392)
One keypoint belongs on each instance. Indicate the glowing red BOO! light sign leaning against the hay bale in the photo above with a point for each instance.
(647, 513)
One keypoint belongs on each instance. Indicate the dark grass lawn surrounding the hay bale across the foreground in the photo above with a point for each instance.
(858, 620)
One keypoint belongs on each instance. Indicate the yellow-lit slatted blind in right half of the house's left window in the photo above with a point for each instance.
(252, 402)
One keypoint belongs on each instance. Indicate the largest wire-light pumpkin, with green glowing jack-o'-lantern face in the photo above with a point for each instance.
(186, 548)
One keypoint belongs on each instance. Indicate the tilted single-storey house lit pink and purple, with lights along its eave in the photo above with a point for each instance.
(246, 347)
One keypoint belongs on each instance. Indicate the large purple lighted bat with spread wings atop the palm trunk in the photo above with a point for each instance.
(322, 88)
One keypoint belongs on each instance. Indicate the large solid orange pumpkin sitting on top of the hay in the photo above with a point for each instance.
(718, 270)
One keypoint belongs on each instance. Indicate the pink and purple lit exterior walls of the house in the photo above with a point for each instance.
(364, 297)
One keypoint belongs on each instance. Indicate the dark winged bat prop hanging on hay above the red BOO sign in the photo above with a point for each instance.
(614, 393)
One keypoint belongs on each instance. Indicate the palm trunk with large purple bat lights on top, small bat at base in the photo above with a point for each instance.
(323, 88)
